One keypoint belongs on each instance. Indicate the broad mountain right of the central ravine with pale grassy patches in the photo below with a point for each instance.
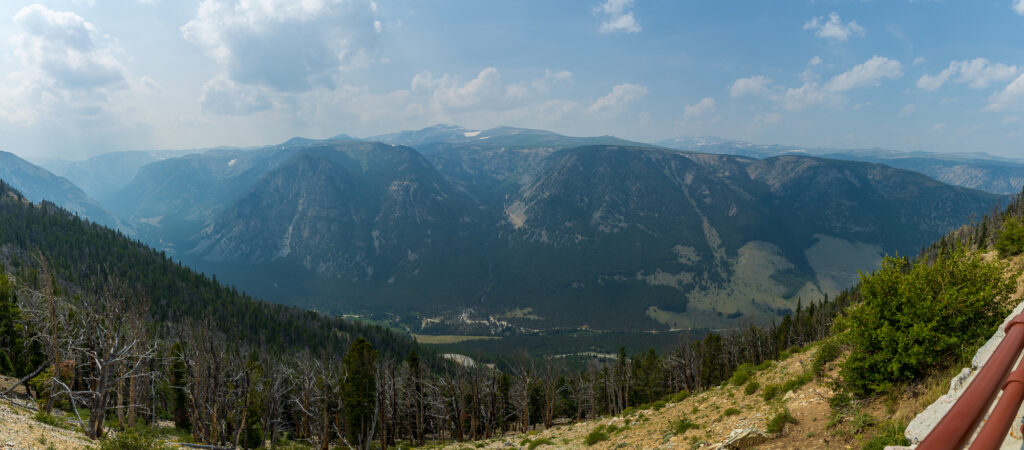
(698, 240)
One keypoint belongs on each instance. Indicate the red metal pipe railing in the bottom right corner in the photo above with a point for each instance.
(959, 425)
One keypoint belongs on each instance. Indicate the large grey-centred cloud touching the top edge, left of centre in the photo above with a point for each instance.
(286, 46)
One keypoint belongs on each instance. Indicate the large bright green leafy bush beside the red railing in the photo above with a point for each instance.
(920, 317)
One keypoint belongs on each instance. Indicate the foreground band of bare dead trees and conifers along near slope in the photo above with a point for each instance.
(98, 353)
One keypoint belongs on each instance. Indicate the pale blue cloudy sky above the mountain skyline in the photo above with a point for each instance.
(82, 77)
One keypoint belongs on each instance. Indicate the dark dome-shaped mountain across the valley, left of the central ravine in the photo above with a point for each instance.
(374, 222)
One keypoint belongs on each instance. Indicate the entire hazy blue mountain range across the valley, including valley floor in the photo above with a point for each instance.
(451, 230)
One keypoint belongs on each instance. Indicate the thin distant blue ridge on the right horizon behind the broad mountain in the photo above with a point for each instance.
(975, 171)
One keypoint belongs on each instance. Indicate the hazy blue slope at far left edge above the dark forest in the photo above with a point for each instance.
(37, 184)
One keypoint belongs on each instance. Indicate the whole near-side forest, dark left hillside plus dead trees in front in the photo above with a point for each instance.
(114, 335)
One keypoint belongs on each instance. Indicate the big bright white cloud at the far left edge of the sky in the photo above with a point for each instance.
(68, 91)
